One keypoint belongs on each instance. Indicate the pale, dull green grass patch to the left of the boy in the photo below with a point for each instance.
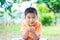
(10, 28)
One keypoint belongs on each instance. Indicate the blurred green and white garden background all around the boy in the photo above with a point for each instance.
(12, 15)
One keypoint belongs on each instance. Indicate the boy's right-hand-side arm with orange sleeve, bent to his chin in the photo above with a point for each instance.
(37, 32)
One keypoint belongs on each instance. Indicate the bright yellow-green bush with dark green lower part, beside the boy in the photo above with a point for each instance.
(46, 16)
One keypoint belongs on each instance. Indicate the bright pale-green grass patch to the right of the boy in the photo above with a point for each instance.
(51, 31)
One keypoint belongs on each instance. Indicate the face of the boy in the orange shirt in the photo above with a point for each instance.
(31, 18)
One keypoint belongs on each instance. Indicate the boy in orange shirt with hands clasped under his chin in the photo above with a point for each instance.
(31, 28)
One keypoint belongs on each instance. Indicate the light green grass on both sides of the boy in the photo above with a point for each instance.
(46, 31)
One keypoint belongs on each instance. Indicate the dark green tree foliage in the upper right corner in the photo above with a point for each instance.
(53, 5)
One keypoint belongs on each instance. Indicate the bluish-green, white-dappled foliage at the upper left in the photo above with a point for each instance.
(8, 8)
